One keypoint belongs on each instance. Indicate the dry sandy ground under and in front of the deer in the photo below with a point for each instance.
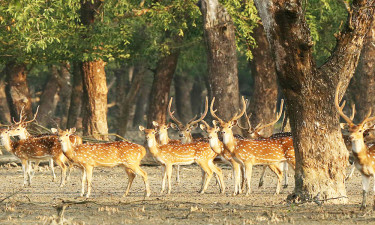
(42, 202)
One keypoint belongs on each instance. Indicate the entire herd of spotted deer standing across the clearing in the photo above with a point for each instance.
(275, 152)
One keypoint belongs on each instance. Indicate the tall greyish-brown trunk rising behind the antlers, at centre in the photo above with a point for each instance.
(222, 58)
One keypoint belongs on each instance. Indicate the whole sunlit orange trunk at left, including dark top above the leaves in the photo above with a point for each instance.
(94, 81)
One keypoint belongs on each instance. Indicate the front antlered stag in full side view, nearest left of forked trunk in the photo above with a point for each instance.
(249, 152)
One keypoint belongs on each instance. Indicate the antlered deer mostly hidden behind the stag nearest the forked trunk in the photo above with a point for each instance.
(284, 138)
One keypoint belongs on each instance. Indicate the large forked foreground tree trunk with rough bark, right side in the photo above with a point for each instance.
(321, 155)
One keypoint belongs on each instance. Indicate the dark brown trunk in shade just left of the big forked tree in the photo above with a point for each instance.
(263, 103)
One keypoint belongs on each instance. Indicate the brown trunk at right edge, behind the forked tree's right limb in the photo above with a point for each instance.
(362, 86)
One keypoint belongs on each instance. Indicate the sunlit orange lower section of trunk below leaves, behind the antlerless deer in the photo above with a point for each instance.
(95, 99)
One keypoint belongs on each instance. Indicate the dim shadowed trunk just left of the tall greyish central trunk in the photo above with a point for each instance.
(183, 85)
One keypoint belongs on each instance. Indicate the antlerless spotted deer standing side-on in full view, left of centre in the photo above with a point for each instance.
(88, 156)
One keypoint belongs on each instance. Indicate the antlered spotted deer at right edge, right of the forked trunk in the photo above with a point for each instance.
(364, 157)
